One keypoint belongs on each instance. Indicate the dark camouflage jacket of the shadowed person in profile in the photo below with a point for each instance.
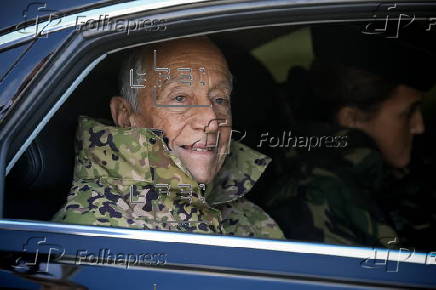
(329, 194)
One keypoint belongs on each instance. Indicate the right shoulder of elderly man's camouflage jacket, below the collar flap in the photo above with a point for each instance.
(244, 218)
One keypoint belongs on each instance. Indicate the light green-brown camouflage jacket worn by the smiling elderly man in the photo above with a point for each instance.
(127, 177)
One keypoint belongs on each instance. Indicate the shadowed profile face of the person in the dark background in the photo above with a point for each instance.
(394, 125)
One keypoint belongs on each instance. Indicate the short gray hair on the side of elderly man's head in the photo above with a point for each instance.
(135, 61)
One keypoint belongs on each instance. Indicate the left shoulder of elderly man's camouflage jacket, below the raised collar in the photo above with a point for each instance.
(89, 203)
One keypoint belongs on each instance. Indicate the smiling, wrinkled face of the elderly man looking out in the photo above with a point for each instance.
(192, 107)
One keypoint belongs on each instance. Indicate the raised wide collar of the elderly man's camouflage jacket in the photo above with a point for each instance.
(140, 155)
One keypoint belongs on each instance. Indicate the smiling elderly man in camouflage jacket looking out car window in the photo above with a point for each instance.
(184, 174)
